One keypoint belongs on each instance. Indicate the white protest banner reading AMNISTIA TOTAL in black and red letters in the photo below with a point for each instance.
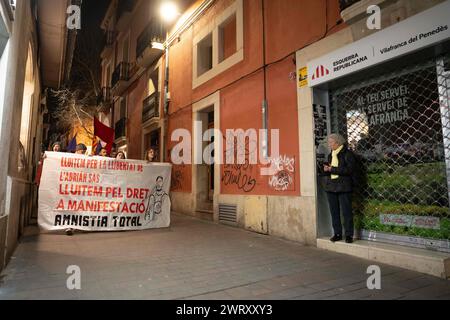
(103, 194)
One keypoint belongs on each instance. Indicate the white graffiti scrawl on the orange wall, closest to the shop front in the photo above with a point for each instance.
(284, 170)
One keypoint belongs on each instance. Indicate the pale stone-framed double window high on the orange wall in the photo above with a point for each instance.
(219, 45)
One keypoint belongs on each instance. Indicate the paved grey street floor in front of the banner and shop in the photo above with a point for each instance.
(194, 259)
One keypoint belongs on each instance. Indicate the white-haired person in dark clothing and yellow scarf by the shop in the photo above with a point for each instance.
(339, 186)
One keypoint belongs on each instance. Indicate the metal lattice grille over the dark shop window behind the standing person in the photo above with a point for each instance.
(398, 126)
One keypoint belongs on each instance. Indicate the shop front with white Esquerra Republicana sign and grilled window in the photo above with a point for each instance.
(389, 95)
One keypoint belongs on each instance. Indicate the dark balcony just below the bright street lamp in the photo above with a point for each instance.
(150, 45)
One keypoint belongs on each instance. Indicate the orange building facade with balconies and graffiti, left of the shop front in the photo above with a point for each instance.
(231, 66)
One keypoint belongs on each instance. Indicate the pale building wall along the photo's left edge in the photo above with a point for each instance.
(17, 191)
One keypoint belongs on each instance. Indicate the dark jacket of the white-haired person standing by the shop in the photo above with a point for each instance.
(345, 171)
